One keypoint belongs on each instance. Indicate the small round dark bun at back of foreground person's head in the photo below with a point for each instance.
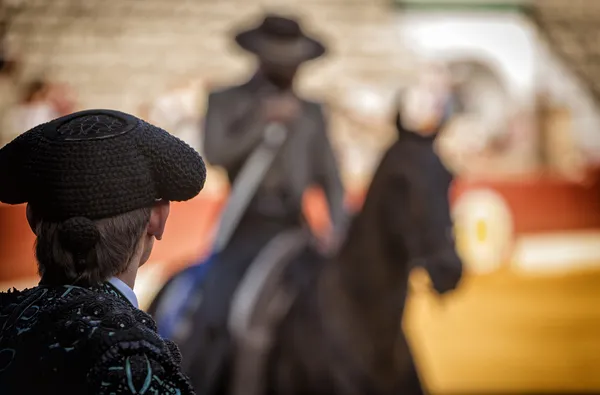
(78, 234)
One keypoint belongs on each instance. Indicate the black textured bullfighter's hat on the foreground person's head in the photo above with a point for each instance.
(97, 164)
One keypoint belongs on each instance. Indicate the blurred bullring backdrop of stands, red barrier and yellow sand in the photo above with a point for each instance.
(524, 148)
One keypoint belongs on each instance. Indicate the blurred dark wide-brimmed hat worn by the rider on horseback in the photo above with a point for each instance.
(280, 40)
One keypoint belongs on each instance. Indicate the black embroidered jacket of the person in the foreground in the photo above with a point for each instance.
(75, 340)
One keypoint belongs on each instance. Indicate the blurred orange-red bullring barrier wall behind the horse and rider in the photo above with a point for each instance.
(538, 205)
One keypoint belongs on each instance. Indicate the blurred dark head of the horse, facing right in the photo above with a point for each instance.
(420, 215)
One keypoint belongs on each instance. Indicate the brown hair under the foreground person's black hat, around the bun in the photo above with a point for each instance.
(117, 243)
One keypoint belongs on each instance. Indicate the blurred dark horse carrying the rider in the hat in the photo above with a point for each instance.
(342, 333)
